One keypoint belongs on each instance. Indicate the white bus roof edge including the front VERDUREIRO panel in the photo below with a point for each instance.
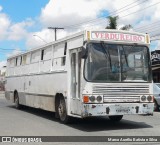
(108, 35)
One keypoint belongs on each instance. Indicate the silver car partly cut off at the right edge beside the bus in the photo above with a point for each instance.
(156, 92)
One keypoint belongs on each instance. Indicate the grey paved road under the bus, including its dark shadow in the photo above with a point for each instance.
(35, 122)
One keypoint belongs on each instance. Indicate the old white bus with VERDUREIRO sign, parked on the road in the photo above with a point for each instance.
(92, 73)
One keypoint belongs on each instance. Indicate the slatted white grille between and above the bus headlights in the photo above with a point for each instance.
(121, 93)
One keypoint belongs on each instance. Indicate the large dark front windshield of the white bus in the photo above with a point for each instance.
(117, 63)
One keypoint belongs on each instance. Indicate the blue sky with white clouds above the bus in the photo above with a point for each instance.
(24, 24)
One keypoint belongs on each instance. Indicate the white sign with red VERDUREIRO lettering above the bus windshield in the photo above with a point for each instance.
(102, 35)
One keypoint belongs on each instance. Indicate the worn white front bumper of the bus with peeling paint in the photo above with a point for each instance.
(117, 109)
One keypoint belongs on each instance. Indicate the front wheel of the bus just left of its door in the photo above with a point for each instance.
(62, 111)
